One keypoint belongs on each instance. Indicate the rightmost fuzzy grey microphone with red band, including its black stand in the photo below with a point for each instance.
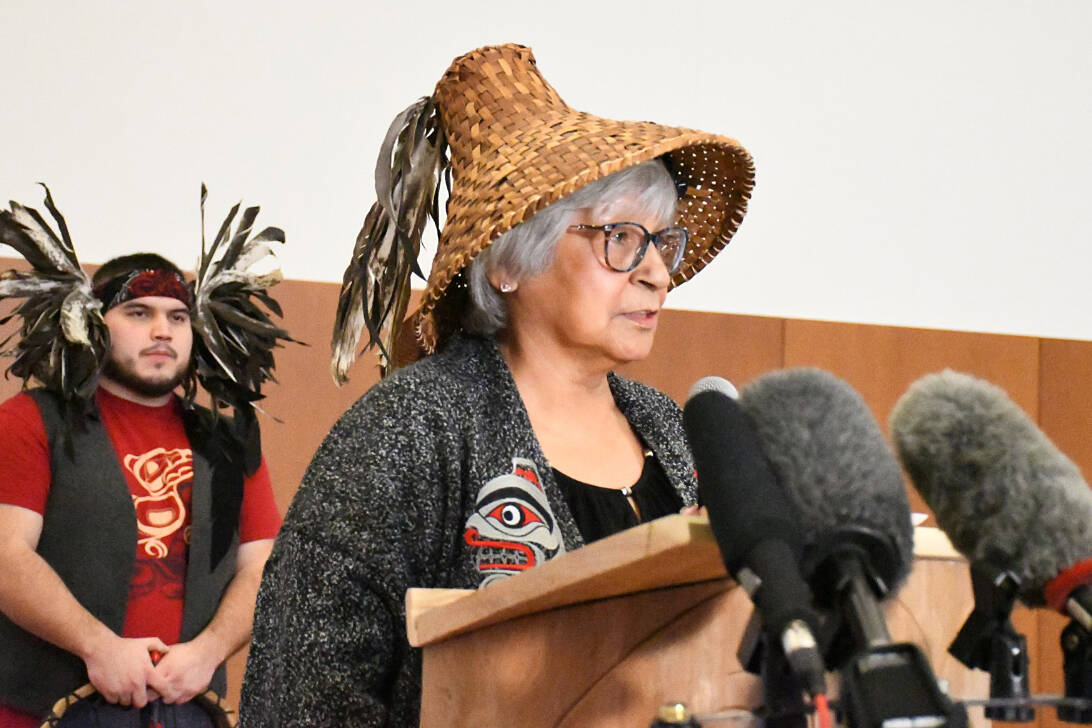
(1018, 509)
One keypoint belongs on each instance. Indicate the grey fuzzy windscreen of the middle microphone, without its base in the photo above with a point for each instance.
(830, 455)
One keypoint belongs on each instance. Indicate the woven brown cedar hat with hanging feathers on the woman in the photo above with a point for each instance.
(516, 148)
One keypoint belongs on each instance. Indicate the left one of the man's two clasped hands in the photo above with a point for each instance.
(122, 670)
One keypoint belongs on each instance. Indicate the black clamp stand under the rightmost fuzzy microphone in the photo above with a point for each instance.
(988, 641)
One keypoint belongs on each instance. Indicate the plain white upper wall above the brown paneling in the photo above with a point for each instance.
(919, 163)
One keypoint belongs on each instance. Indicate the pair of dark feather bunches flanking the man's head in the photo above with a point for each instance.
(64, 341)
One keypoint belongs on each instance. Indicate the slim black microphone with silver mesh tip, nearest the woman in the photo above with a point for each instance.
(754, 523)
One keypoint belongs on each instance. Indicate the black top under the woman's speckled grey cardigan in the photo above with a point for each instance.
(601, 512)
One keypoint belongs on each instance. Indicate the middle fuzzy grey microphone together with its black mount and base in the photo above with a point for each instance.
(829, 453)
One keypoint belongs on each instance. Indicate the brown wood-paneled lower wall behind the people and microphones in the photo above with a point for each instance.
(1051, 379)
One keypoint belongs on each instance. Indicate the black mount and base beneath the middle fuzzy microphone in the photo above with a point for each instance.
(884, 684)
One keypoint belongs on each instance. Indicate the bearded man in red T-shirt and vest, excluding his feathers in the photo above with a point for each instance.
(133, 540)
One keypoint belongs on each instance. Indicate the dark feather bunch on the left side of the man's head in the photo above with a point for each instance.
(63, 341)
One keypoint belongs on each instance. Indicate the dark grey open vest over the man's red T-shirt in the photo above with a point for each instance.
(89, 538)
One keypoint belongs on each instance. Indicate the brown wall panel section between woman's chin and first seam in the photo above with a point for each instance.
(692, 344)
